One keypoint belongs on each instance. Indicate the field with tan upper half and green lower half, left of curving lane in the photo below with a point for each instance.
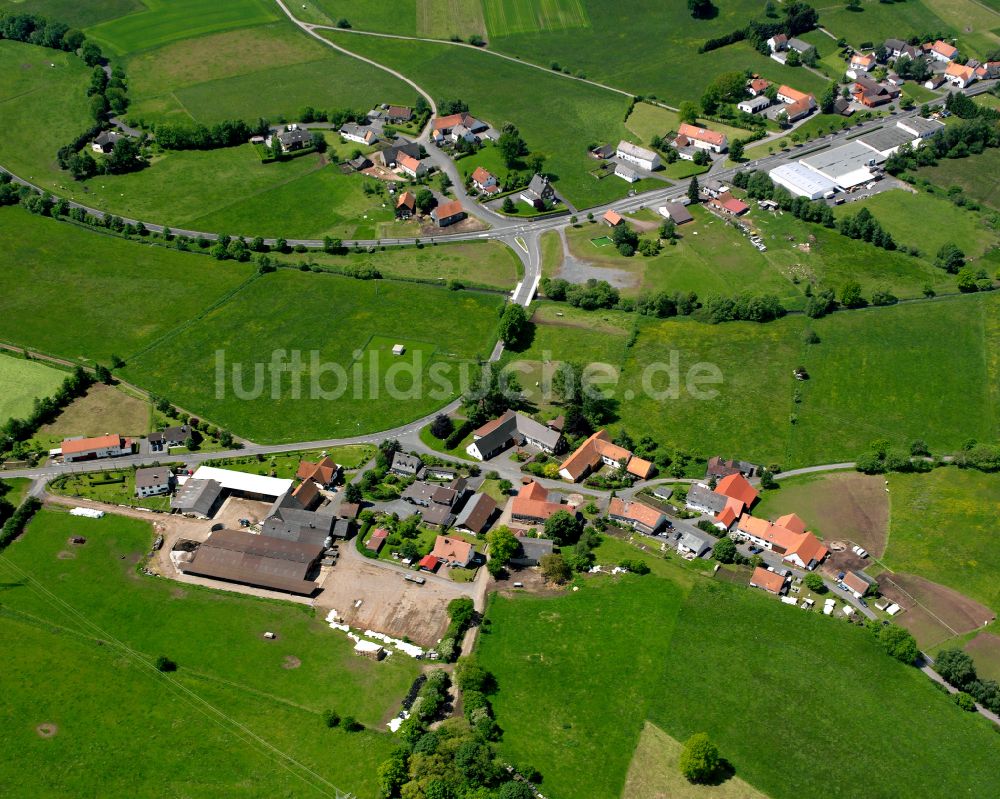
(270, 71)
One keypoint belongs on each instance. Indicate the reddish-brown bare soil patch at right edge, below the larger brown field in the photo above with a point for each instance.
(933, 611)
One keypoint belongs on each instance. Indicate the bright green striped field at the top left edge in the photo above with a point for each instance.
(169, 21)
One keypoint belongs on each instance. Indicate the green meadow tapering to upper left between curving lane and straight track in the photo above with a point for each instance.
(500, 91)
